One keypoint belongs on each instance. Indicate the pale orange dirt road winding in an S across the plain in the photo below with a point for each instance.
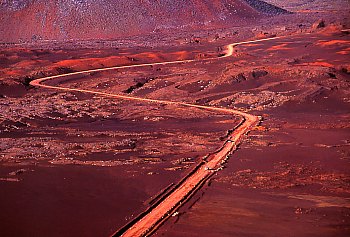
(158, 213)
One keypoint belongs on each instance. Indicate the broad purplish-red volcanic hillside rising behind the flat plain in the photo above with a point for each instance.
(105, 19)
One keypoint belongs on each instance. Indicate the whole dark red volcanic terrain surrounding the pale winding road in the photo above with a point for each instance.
(77, 164)
